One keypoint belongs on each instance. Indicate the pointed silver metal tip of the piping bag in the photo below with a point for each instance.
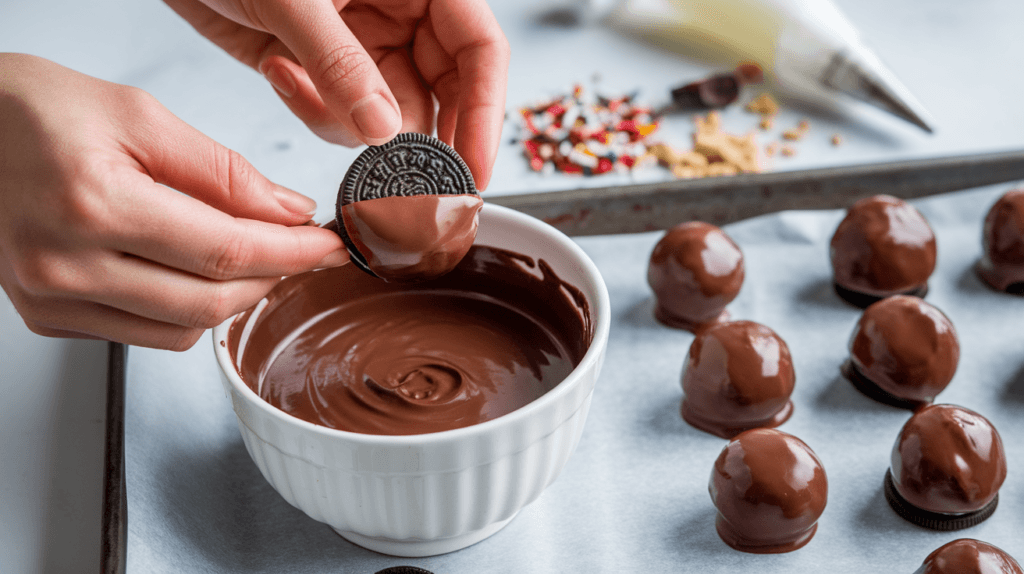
(868, 80)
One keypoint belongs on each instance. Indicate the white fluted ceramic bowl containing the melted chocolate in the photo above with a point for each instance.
(426, 495)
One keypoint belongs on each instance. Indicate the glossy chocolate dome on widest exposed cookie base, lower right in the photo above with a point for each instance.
(949, 460)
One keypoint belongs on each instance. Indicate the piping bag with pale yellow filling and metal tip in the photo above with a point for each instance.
(807, 49)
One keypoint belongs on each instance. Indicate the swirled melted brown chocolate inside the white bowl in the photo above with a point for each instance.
(345, 350)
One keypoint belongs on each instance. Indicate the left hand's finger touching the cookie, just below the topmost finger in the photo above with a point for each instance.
(184, 234)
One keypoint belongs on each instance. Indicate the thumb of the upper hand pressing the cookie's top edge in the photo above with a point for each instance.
(339, 67)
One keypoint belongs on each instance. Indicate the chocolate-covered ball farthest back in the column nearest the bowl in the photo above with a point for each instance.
(696, 271)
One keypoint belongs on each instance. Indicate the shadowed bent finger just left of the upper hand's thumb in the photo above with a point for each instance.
(295, 89)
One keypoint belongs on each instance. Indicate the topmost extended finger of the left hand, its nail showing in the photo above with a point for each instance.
(177, 155)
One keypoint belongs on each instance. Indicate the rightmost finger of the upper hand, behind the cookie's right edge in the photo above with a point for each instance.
(471, 37)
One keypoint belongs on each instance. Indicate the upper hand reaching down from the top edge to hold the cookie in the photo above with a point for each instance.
(360, 71)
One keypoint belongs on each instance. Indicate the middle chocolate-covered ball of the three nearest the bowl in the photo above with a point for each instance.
(739, 376)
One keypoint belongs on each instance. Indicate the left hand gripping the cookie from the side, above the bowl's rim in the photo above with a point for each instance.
(95, 240)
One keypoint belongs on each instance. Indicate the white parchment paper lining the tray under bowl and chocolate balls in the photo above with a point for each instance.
(634, 497)
